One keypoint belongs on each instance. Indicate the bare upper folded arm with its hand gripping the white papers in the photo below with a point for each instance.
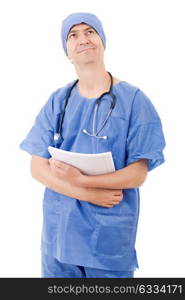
(132, 176)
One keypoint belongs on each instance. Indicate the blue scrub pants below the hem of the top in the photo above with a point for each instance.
(51, 267)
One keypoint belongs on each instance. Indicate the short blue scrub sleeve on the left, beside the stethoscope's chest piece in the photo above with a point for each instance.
(41, 134)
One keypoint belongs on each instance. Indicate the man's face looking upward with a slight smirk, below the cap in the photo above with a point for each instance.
(84, 45)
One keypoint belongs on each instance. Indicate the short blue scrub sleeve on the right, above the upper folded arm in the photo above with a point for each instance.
(145, 139)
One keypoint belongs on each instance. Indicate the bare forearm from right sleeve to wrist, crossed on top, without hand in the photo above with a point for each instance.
(132, 176)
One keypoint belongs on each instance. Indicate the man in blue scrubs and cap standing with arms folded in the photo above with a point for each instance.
(90, 222)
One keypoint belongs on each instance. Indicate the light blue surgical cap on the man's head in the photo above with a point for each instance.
(79, 18)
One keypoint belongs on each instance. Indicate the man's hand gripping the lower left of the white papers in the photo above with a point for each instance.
(65, 172)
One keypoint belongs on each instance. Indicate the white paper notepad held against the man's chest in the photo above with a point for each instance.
(88, 163)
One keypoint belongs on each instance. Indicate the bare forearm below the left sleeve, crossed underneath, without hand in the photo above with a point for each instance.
(43, 174)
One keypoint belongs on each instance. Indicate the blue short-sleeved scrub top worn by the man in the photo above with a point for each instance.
(78, 232)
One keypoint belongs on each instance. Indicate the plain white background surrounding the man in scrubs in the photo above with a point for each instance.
(145, 47)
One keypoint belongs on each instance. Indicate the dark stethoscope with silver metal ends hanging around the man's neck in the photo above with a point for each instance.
(58, 138)
